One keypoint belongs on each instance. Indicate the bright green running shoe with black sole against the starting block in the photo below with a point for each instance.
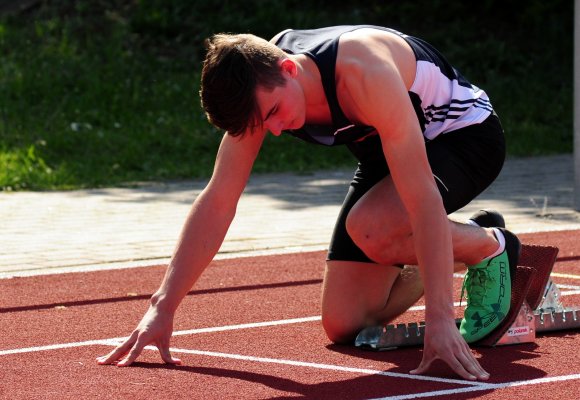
(489, 286)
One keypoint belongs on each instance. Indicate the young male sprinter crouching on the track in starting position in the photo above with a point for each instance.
(427, 142)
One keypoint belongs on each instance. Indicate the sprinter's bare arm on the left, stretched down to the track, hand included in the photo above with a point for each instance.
(202, 235)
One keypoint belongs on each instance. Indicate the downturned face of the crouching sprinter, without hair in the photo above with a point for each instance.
(282, 108)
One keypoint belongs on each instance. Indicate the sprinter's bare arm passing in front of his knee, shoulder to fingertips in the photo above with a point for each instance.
(379, 98)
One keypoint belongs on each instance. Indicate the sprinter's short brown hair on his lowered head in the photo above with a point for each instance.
(233, 68)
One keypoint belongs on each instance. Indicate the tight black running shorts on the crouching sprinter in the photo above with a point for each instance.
(465, 162)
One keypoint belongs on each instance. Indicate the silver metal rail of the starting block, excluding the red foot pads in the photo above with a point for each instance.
(549, 316)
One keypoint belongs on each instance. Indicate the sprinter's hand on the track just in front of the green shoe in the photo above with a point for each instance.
(443, 341)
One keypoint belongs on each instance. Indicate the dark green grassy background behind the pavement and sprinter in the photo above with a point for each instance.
(103, 92)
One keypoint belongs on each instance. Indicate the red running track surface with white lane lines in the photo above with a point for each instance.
(249, 330)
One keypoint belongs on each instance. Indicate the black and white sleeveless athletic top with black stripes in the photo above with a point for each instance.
(442, 98)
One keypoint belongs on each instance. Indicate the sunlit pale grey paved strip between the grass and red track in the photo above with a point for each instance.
(48, 232)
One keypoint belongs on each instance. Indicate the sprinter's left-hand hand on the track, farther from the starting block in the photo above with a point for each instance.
(156, 328)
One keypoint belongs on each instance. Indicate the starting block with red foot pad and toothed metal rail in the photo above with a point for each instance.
(535, 308)
